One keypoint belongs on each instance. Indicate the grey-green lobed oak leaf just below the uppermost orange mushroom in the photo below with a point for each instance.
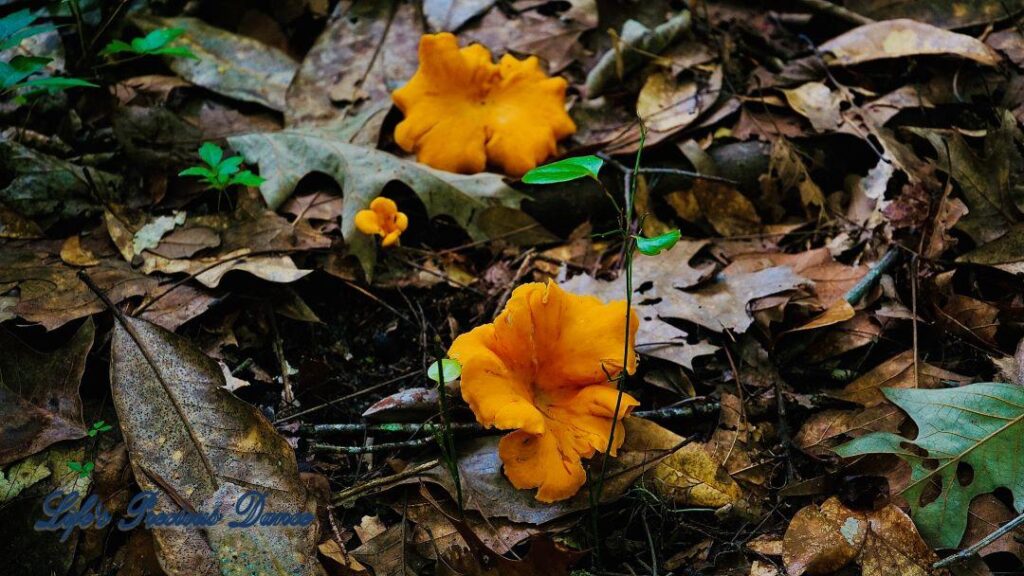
(288, 156)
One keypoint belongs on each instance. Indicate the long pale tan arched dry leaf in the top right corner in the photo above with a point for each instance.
(903, 38)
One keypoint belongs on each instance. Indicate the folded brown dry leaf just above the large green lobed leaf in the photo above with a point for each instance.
(898, 373)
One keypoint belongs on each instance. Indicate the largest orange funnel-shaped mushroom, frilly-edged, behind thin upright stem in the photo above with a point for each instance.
(546, 369)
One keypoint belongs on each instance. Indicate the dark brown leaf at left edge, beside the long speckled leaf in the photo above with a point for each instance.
(39, 401)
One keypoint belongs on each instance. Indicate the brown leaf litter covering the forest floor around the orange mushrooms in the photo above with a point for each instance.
(830, 325)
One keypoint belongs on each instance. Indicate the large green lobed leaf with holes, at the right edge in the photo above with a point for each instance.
(978, 428)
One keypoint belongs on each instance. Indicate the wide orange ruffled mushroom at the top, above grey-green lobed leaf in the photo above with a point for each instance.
(463, 112)
